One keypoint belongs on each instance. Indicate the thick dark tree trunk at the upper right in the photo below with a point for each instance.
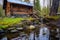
(54, 7)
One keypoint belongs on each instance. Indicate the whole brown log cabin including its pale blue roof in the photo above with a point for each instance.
(17, 7)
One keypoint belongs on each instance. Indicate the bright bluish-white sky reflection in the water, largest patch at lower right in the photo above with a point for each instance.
(44, 33)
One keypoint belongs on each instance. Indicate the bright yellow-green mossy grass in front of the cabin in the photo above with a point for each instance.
(6, 22)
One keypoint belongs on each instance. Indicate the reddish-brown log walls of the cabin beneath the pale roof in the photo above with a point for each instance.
(18, 9)
